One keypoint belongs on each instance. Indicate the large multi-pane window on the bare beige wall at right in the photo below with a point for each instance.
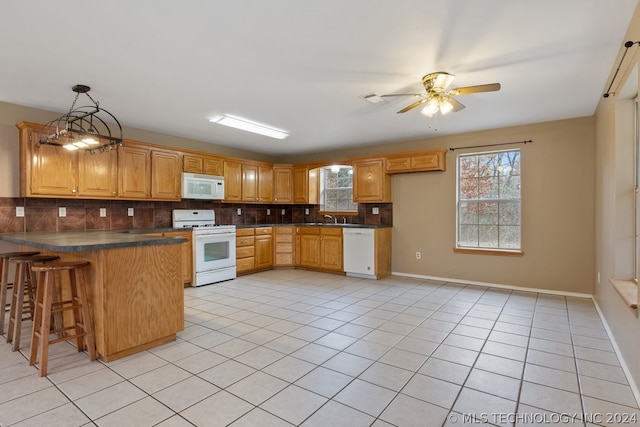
(489, 200)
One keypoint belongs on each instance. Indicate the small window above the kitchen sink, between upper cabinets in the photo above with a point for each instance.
(336, 189)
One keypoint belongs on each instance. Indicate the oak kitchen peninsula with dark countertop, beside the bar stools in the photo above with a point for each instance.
(134, 282)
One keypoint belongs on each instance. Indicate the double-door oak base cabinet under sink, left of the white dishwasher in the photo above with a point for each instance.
(319, 248)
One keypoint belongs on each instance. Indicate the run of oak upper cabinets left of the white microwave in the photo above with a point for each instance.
(135, 171)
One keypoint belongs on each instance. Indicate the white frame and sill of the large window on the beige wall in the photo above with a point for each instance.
(488, 250)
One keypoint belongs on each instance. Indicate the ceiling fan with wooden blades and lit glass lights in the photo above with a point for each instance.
(438, 98)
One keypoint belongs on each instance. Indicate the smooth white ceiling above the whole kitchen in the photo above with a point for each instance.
(302, 66)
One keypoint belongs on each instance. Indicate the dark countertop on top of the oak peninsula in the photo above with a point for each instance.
(76, 241)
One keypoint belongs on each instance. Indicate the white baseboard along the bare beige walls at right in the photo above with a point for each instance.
(616, 349)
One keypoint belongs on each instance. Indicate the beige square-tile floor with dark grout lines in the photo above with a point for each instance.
(292, 347)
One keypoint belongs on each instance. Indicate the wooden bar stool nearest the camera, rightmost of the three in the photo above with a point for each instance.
(78, 305)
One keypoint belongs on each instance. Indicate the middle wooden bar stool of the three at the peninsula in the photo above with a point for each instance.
(24, 285)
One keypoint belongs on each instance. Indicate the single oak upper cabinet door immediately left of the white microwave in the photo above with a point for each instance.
(166, 175)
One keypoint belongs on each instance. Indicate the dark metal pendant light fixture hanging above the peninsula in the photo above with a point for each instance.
(89, 127)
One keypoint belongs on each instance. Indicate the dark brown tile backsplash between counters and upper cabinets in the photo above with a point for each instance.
(42, 214)
